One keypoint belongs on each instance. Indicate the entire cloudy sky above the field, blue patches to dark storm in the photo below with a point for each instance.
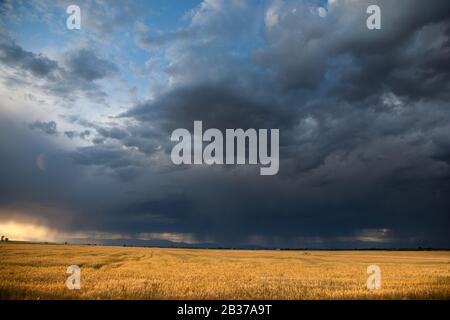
(364, 117)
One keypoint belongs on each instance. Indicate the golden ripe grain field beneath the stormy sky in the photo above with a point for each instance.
(34, 271)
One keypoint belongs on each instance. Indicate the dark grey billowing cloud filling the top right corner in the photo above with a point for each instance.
(304, 48)
